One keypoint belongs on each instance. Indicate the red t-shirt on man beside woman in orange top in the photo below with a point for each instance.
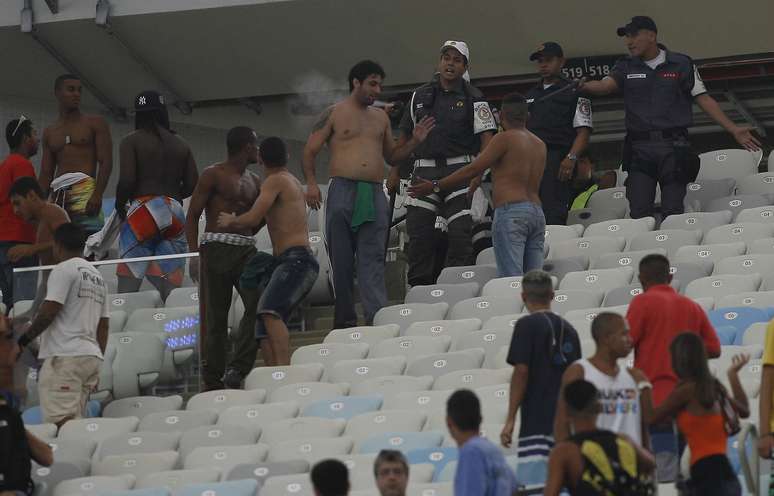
(655, 318)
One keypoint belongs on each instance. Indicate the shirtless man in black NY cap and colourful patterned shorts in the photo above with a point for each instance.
(157, 172)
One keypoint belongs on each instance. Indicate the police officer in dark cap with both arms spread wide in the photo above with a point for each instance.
(659, 87)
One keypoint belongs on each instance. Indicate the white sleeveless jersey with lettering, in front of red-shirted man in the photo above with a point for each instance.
(619, 399)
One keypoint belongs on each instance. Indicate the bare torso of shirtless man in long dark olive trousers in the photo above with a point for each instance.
(230, 192)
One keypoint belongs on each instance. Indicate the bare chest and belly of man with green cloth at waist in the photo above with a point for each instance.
(357, 142)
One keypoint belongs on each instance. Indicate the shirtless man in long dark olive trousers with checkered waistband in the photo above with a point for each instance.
(225, 187)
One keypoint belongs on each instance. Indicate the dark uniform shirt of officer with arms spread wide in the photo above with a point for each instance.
(658, 93)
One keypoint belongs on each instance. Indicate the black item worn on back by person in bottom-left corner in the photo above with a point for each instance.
(15, 461)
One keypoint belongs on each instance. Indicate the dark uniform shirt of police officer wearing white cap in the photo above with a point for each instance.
(457, 125)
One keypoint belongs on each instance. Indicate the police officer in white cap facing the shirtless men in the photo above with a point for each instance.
(463, 126)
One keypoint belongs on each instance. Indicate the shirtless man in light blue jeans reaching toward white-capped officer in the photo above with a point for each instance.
(517, 159)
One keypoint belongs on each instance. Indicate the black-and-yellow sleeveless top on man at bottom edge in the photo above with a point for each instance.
(609, 466)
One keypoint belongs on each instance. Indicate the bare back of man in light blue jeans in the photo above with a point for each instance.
(517, 174)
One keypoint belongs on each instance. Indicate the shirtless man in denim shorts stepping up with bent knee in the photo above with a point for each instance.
(289, 275)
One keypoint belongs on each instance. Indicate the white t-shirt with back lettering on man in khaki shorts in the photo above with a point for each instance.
(79, 287)
